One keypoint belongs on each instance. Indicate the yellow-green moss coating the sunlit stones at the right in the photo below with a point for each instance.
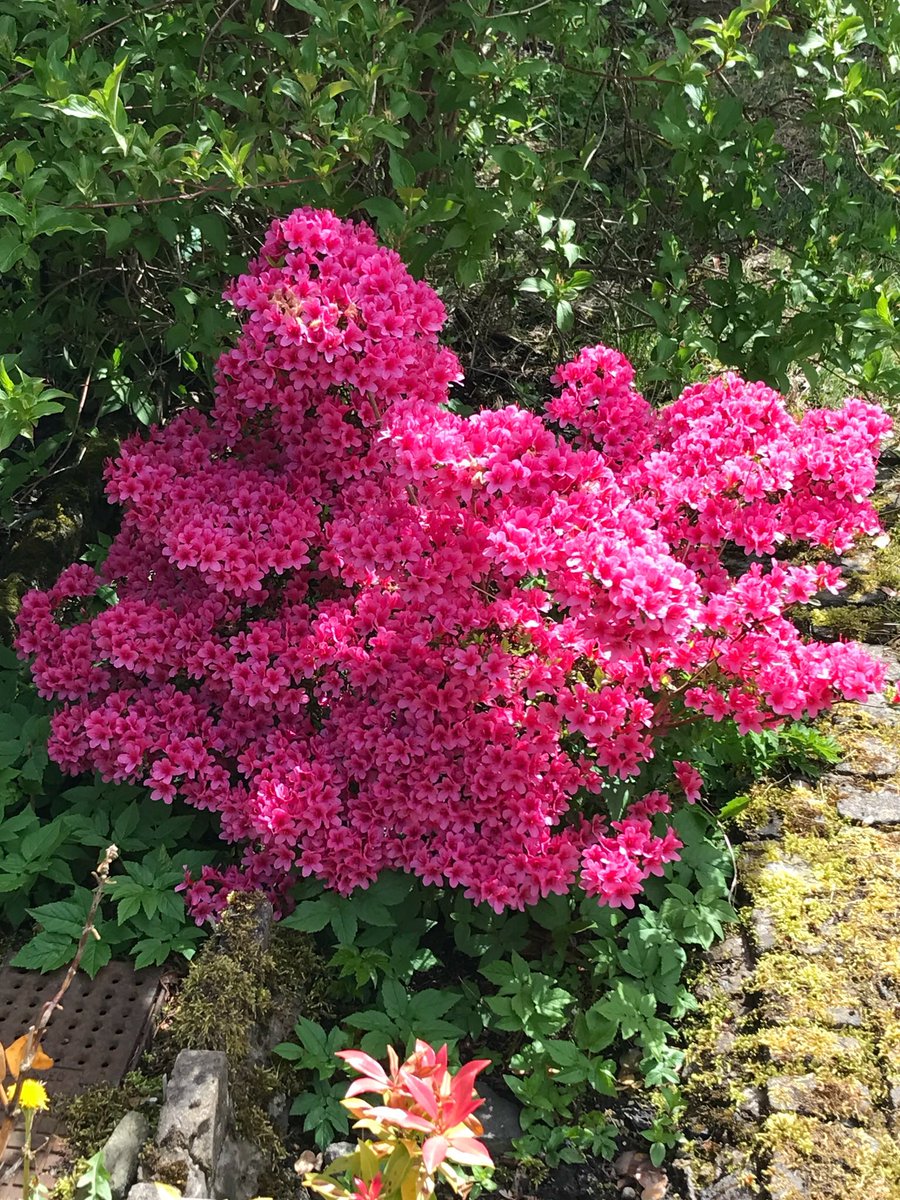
(820, 1001)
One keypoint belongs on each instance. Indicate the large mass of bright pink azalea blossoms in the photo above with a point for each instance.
(371, 634)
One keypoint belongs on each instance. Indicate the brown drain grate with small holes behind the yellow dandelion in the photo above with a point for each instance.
(95, 1039)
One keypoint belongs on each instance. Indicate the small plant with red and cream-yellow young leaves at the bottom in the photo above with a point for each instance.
(422, 1132)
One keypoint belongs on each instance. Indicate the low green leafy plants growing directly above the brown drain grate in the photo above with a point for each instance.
(51, 835)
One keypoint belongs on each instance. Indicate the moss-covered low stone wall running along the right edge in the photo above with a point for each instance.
(794, 1069)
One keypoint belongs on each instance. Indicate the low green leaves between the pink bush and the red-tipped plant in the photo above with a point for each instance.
(555, 997)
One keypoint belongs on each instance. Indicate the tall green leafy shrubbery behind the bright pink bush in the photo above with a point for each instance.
(733, 179)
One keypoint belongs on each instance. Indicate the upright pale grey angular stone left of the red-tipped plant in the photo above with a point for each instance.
(195, 1115)
